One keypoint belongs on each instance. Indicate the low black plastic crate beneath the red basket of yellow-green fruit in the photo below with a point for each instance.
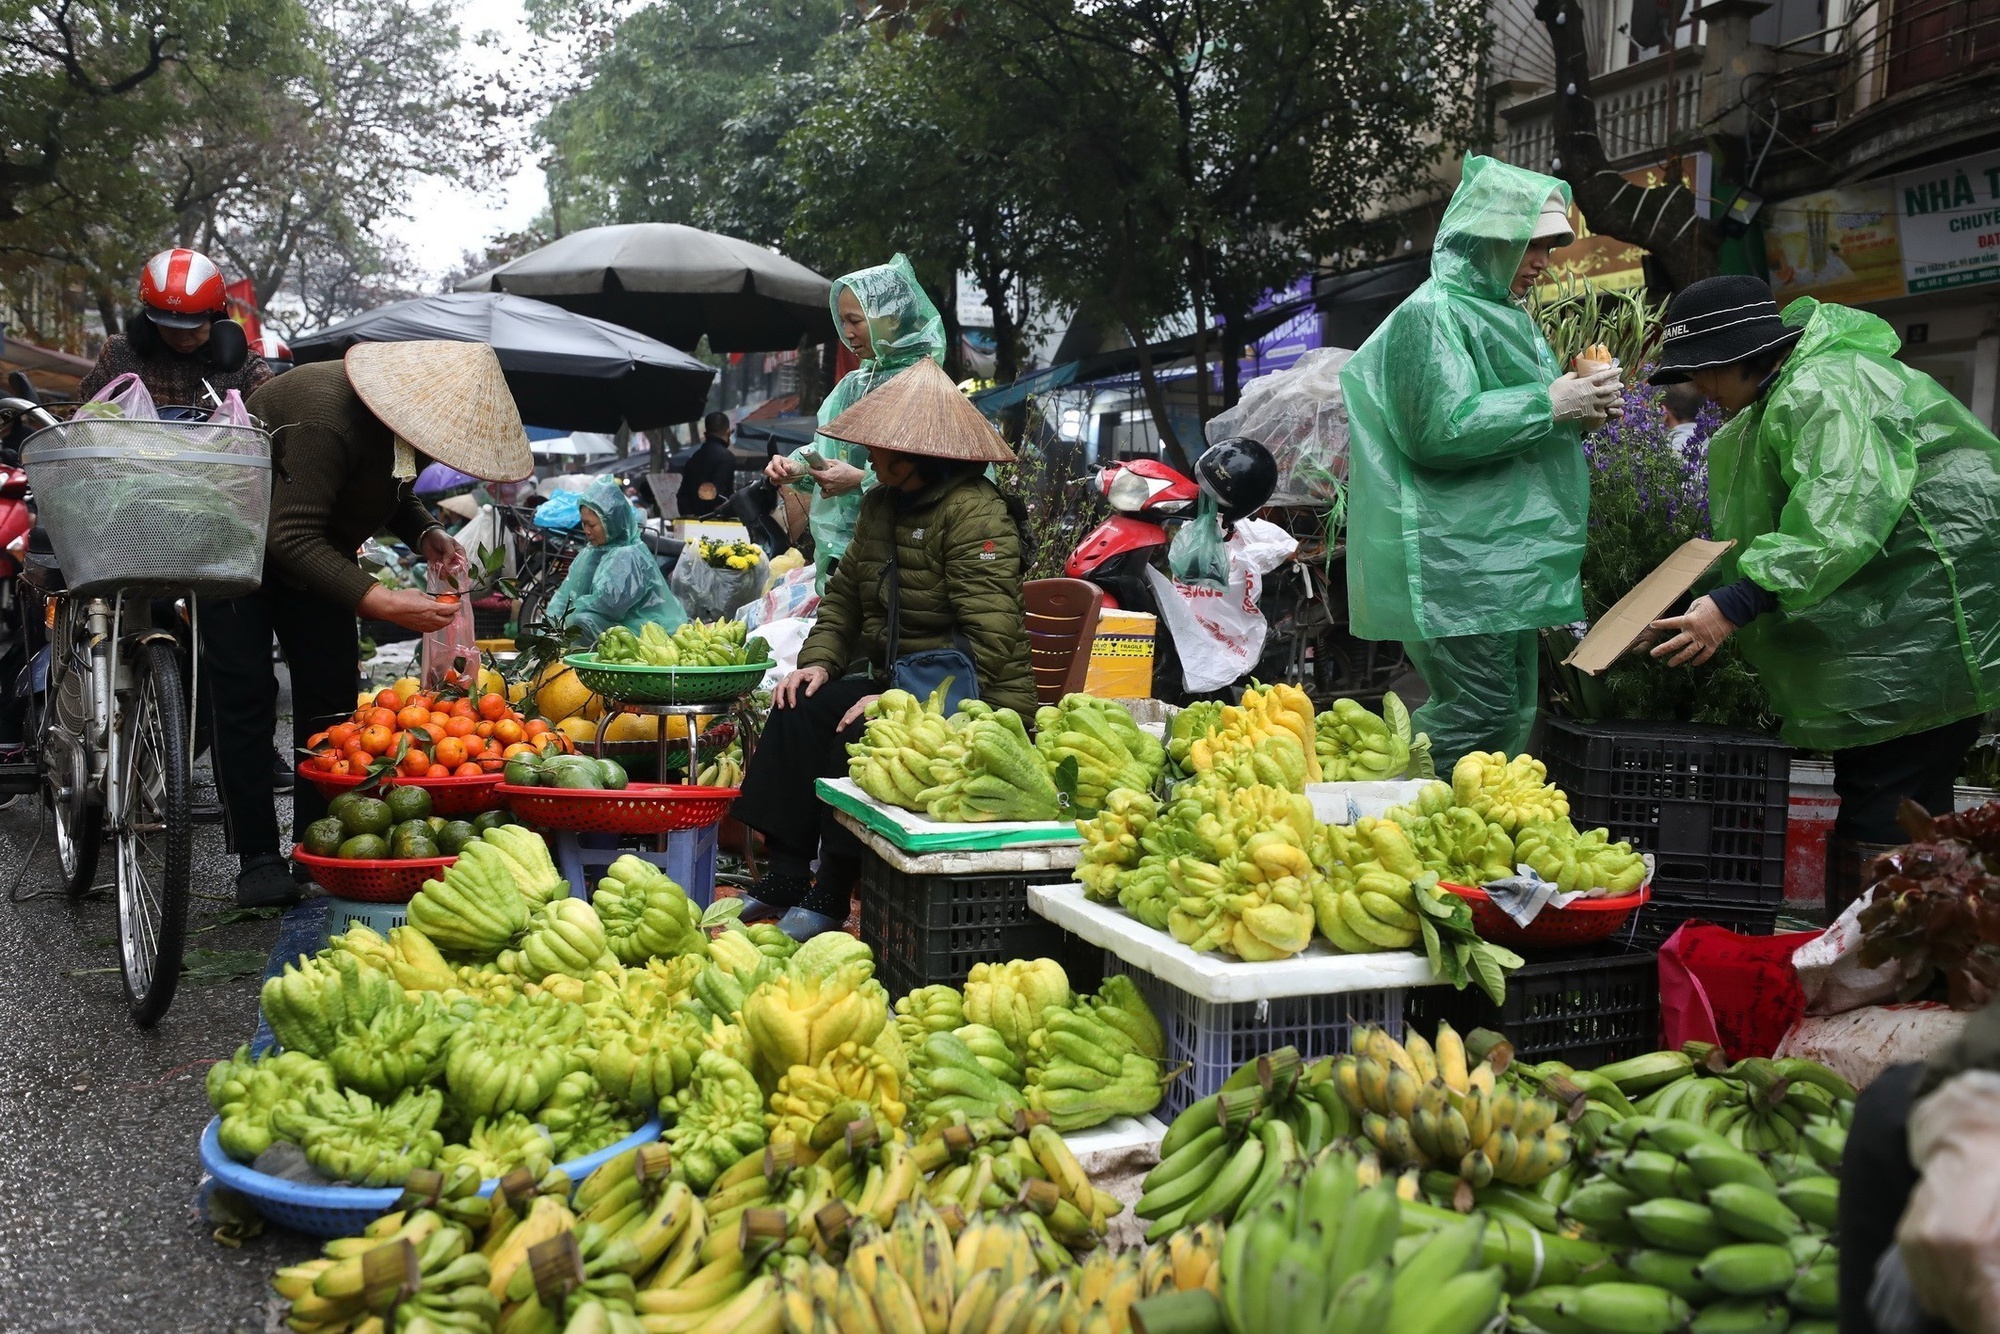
(1585, 1009)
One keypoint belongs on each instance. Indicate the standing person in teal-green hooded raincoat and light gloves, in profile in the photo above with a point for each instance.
(1465, 465)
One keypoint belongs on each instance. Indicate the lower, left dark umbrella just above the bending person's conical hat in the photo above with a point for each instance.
(565, 369)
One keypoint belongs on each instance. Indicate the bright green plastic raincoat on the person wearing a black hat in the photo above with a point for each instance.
(1869, 501)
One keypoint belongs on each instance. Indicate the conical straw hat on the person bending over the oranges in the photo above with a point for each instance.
(449, 401)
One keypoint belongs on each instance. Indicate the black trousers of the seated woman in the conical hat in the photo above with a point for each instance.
(797, 747)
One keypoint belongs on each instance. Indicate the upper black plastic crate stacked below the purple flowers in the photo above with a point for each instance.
(1711, 805)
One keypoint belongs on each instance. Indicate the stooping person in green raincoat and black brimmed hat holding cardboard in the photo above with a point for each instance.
(1865, 505)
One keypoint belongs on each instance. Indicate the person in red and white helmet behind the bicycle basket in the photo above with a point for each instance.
(187, 343)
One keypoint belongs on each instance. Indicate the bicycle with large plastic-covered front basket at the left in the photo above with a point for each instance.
(113, 733)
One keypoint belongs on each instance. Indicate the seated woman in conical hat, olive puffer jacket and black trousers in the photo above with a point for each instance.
(935, 541)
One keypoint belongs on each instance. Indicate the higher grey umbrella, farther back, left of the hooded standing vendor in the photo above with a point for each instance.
(675, 283)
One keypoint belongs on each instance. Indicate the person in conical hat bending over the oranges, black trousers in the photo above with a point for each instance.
(347, 443)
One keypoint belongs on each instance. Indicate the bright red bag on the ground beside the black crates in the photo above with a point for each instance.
(1739, 993)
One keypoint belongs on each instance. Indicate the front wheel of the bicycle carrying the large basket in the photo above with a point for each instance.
(155, 833)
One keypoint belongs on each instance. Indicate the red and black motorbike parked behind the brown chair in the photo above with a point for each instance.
(1303, 603)
